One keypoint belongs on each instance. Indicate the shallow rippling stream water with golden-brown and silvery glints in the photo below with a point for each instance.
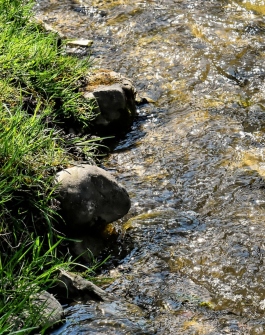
(190, 256)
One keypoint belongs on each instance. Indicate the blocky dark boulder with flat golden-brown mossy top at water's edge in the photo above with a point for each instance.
(114, 100)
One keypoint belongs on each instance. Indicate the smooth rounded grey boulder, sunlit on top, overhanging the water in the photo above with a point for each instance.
(90, 196)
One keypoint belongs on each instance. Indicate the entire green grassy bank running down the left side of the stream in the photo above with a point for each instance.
(38, 96)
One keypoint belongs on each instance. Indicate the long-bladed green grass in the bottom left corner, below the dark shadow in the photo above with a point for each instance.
(22, 278)
